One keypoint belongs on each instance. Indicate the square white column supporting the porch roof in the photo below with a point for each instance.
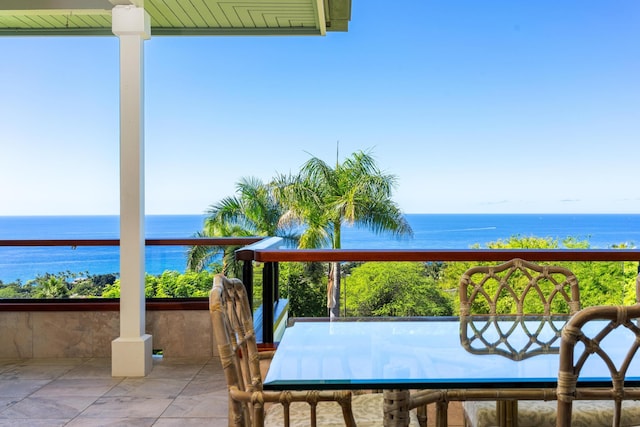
(131, 353)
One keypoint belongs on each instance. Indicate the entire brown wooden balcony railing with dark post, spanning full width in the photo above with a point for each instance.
(268, 252)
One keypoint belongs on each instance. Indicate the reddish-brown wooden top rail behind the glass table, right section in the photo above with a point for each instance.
(345, 255)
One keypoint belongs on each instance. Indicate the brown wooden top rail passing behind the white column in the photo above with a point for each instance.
(190, 241)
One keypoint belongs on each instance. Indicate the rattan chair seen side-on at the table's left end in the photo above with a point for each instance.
(249, 405)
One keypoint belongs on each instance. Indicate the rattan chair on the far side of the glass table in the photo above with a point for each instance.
(514, 287)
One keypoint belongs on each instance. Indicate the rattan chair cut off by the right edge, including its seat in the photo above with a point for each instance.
(580, 345)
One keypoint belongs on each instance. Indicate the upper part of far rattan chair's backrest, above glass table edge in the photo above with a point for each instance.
(519, 287)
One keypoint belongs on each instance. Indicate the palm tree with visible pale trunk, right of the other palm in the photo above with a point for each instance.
(325, 198)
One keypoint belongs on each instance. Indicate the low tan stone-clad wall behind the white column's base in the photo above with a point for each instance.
(67, 334)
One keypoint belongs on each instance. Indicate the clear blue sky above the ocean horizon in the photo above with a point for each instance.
(476, 106)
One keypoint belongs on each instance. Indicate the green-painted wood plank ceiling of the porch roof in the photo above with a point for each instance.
(177, 17)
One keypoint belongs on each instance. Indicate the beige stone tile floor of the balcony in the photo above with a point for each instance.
(82, 392)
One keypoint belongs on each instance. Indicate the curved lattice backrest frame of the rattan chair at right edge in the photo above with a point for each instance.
(584, 340)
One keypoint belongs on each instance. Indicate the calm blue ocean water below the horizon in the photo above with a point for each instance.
(431, 232)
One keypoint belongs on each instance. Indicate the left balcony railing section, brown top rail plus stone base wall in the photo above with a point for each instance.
(85, 327)
